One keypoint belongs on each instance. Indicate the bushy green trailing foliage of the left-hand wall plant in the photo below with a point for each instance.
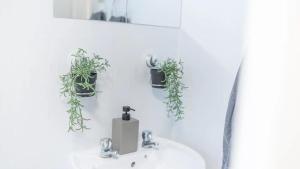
(82, 67)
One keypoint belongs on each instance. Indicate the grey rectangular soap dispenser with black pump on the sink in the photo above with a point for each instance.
(125, 132)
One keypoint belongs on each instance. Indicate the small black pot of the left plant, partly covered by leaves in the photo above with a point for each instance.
(83, 92)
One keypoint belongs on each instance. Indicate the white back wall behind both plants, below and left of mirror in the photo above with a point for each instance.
(35, 50)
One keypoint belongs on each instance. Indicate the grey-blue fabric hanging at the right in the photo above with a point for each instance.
(228, 124)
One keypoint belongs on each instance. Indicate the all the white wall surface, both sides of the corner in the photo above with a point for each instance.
(35, 50)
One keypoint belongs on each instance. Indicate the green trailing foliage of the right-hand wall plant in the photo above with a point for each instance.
(174, 87)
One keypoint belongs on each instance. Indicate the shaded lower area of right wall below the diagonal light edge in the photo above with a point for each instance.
(209, 85)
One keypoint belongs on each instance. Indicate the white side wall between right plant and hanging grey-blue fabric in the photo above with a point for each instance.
(210, 43)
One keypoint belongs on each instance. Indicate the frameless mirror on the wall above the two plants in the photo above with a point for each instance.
(165, 13)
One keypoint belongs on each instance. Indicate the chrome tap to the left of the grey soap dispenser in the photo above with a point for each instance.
(106, 149)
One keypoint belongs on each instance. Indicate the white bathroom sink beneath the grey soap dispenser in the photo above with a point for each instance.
(170, 155)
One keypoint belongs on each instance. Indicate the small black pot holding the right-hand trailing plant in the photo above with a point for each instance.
(158, 78)
